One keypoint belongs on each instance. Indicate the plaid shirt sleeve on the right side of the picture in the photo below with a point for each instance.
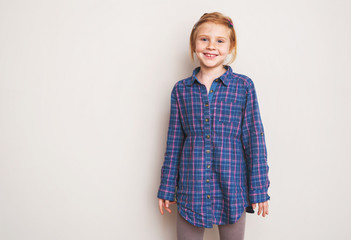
(253, 139)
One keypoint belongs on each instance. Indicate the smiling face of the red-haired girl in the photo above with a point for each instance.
(212, 44)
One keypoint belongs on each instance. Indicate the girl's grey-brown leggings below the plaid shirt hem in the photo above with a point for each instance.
(187, 231)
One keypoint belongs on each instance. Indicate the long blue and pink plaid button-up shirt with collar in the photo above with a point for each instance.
(215, 163)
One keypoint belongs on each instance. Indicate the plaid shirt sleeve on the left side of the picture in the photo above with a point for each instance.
(175, 140)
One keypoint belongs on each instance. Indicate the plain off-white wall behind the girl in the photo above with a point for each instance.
(84, 109)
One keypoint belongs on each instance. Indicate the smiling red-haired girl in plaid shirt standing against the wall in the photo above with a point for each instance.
(215, 165)
